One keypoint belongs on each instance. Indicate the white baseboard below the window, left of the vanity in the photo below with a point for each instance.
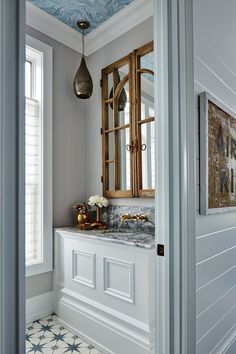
(39, 306)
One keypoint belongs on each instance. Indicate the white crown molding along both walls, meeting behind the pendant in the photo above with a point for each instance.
(129, 17)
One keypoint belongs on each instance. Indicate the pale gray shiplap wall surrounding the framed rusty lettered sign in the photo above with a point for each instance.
(215, 60)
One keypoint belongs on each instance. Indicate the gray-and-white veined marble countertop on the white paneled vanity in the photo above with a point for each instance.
(125, 237)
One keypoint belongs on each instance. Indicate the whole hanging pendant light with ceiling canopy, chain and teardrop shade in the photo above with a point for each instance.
(83, 84)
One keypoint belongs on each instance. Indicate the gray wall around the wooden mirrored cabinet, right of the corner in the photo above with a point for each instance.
(113, 51)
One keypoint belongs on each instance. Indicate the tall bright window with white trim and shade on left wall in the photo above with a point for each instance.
(38, 157)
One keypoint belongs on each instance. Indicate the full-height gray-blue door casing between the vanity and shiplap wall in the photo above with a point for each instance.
(173, 34)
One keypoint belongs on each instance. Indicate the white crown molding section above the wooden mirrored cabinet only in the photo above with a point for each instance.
(129, 17)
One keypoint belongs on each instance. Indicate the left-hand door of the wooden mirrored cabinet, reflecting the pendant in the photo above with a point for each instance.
(117, 129)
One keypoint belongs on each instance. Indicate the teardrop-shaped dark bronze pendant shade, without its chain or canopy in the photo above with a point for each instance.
(83, 84)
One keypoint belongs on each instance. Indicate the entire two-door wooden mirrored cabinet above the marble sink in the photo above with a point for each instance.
(128, 125)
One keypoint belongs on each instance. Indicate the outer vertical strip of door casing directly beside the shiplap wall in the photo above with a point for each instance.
(188, 180)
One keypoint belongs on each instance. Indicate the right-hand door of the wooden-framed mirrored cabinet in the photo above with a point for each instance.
(145, 122)
